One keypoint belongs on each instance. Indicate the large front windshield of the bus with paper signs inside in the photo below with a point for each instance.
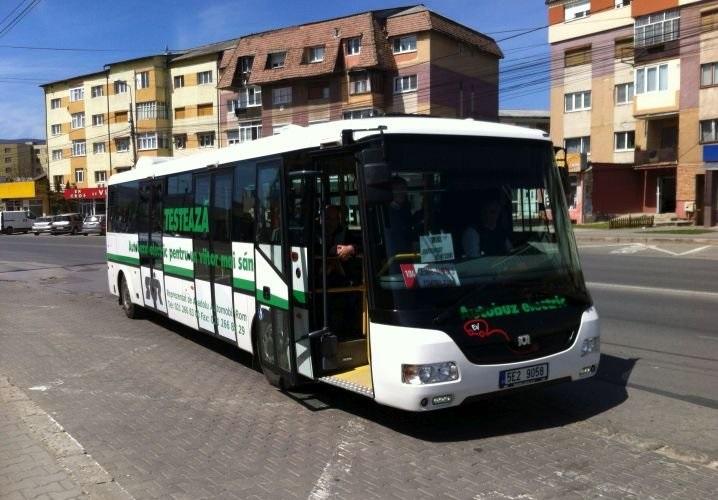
(470, 217)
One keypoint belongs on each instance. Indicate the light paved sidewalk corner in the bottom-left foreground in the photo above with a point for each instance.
(40, 461)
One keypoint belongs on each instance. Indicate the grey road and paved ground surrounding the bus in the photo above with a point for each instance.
(172, 413)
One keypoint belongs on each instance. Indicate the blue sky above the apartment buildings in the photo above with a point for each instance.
(101, 32)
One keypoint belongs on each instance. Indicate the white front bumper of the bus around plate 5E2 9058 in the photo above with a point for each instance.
(394, 346)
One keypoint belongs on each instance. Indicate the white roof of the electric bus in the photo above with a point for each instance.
(296, 138)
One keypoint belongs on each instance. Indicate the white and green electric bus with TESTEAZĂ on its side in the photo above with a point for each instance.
(420, 262)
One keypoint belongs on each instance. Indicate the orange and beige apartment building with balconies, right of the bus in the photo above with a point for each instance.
(634, 99)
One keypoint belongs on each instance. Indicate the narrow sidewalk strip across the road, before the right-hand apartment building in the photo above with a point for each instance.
(646, 236)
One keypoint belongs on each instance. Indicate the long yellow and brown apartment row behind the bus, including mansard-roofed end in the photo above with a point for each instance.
(404, 60)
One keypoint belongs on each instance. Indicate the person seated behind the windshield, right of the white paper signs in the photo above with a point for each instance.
(490, 236)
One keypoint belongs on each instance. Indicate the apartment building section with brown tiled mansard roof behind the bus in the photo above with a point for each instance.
(392, 61)
